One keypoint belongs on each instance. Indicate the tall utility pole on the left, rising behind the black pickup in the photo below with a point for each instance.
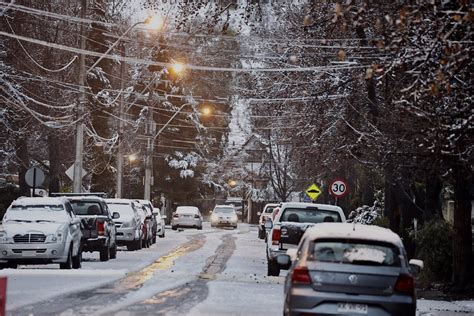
(77, 183)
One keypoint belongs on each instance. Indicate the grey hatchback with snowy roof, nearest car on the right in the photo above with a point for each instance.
(342, 268)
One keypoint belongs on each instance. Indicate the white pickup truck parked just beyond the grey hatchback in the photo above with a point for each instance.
(290, 223)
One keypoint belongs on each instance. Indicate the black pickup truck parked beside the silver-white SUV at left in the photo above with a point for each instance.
(98, 227)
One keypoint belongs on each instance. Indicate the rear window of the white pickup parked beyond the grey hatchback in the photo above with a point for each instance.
(309, 215)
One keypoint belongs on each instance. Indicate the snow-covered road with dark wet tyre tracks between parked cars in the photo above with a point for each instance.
(208, 272)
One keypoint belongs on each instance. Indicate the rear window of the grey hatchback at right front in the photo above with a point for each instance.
(360, 252)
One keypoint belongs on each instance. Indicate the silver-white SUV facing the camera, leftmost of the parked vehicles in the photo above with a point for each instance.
(41, 231)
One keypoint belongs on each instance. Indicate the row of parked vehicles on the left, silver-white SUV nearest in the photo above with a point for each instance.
(59, 229)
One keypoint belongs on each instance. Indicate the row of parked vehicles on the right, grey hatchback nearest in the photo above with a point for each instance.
(336, 267)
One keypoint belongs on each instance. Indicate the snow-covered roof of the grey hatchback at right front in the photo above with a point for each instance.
(352, 231)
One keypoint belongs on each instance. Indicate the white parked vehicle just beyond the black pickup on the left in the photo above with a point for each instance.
(129, 223)
